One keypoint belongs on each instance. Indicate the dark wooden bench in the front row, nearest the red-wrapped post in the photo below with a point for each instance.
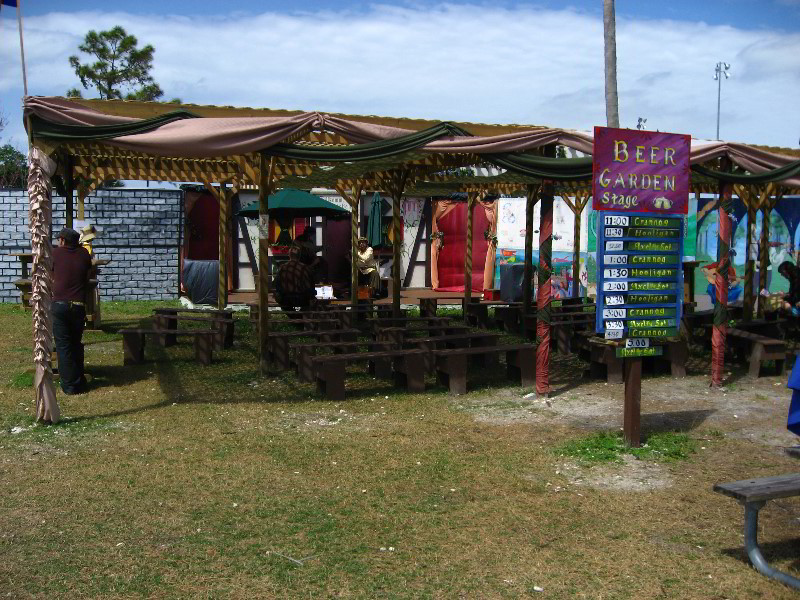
(451, 364)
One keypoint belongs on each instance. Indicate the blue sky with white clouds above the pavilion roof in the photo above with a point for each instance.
(499, 62)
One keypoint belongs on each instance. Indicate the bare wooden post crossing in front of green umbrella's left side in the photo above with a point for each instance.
(265, 184)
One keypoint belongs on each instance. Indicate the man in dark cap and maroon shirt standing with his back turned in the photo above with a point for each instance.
(71, 266)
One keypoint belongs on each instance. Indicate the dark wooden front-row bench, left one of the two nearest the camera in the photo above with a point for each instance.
(407, 369)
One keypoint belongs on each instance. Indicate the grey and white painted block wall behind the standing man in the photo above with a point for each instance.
(139, 234)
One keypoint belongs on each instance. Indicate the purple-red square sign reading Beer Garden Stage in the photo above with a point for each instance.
(640, 171)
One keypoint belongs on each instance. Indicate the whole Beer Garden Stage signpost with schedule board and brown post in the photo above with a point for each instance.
(641, 183)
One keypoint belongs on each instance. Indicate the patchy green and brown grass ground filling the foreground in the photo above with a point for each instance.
(172, 480)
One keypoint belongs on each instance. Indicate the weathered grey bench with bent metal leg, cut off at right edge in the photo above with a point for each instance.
(753, 494)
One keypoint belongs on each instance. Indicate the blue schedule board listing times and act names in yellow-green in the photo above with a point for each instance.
(639, 275)
